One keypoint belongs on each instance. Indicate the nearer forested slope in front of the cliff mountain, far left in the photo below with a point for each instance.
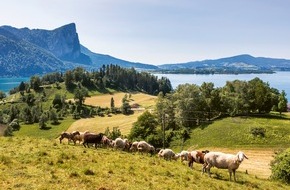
(21, 58)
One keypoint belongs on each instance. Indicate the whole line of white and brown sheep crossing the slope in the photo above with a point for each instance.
(206, 158)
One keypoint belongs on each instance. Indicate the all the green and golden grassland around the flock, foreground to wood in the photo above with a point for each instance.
(34, 158)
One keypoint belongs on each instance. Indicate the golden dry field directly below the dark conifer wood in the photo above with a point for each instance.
(142, 99)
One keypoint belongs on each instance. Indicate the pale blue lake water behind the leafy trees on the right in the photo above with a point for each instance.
(278, 80)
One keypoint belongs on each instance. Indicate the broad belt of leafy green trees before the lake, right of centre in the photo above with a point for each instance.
(190, 105)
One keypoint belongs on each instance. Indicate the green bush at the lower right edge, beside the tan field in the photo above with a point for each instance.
(280, 167)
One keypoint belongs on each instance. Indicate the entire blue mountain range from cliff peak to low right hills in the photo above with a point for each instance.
(26, 52)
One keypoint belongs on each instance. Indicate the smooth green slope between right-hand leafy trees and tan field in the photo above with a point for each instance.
(233, 132)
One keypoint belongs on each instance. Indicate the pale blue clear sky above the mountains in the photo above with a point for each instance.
(163, 31)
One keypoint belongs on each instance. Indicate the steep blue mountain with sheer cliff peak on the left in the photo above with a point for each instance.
(26, 52)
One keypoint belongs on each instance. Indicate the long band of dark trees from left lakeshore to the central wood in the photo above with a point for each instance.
(108, 76)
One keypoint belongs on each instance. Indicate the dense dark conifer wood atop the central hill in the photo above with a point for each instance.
(116, 77)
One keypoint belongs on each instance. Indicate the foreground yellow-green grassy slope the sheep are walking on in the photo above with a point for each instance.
(36, 163)
